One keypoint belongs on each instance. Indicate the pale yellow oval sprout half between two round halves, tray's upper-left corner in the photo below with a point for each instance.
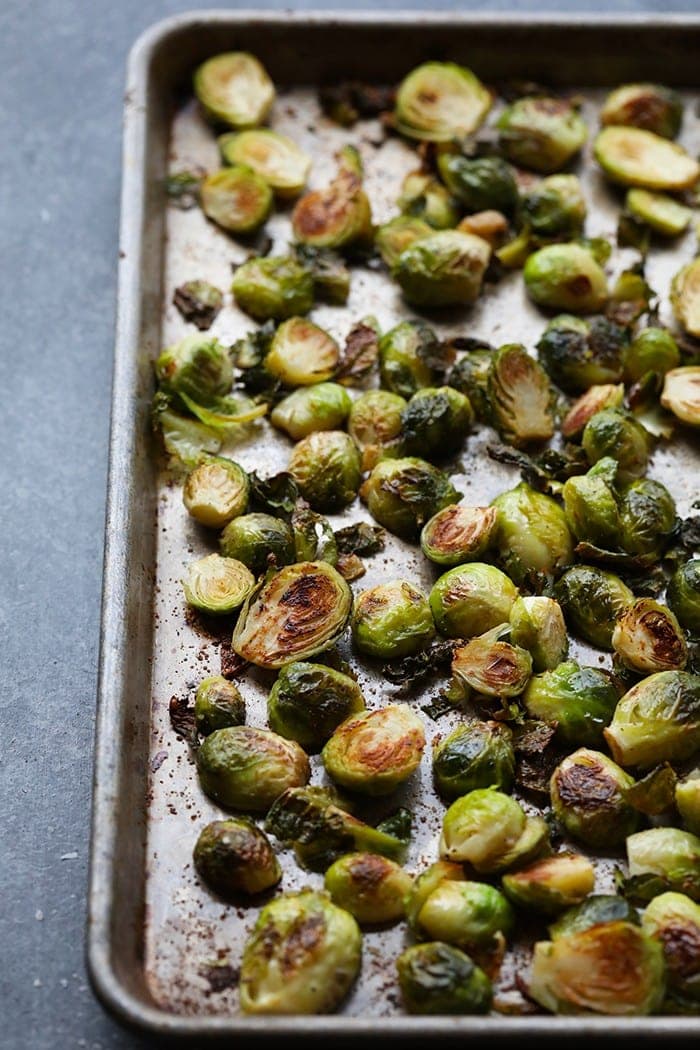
(275, 158)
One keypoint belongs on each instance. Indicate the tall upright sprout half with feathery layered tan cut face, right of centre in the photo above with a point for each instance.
(520, 397)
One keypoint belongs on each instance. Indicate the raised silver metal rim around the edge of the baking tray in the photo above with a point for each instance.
(110, 990)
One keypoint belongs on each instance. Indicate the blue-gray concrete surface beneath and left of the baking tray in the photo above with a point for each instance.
(60, 117)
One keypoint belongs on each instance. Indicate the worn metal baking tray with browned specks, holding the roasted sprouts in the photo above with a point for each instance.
(155, 934)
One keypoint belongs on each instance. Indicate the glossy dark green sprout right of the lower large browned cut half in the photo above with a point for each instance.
(479, 754)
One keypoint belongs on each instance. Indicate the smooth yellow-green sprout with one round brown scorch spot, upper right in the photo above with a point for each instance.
(566, 277)
